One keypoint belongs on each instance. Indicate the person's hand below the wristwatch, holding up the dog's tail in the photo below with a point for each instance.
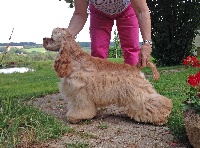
(144, 56)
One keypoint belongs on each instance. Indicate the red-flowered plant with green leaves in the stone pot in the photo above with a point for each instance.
(193, 100)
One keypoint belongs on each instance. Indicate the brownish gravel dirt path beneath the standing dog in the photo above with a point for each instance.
(110, 128)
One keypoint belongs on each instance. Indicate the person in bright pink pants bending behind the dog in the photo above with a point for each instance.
(130, 15)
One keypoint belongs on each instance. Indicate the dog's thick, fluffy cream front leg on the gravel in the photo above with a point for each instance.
(80, 108)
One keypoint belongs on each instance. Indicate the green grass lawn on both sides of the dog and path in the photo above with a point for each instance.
(16, 116)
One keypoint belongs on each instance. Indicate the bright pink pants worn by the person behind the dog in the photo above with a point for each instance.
(128, 30)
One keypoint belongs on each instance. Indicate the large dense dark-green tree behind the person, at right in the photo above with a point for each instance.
(174, 27)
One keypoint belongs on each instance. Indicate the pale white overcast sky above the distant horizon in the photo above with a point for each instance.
(33, 20)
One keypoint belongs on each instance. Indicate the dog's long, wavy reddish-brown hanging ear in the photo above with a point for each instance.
(62, 64)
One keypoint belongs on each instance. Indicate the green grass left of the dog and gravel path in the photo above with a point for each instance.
(16, 117)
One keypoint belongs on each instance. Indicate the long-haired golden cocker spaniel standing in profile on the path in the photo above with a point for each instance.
(88, 83)
